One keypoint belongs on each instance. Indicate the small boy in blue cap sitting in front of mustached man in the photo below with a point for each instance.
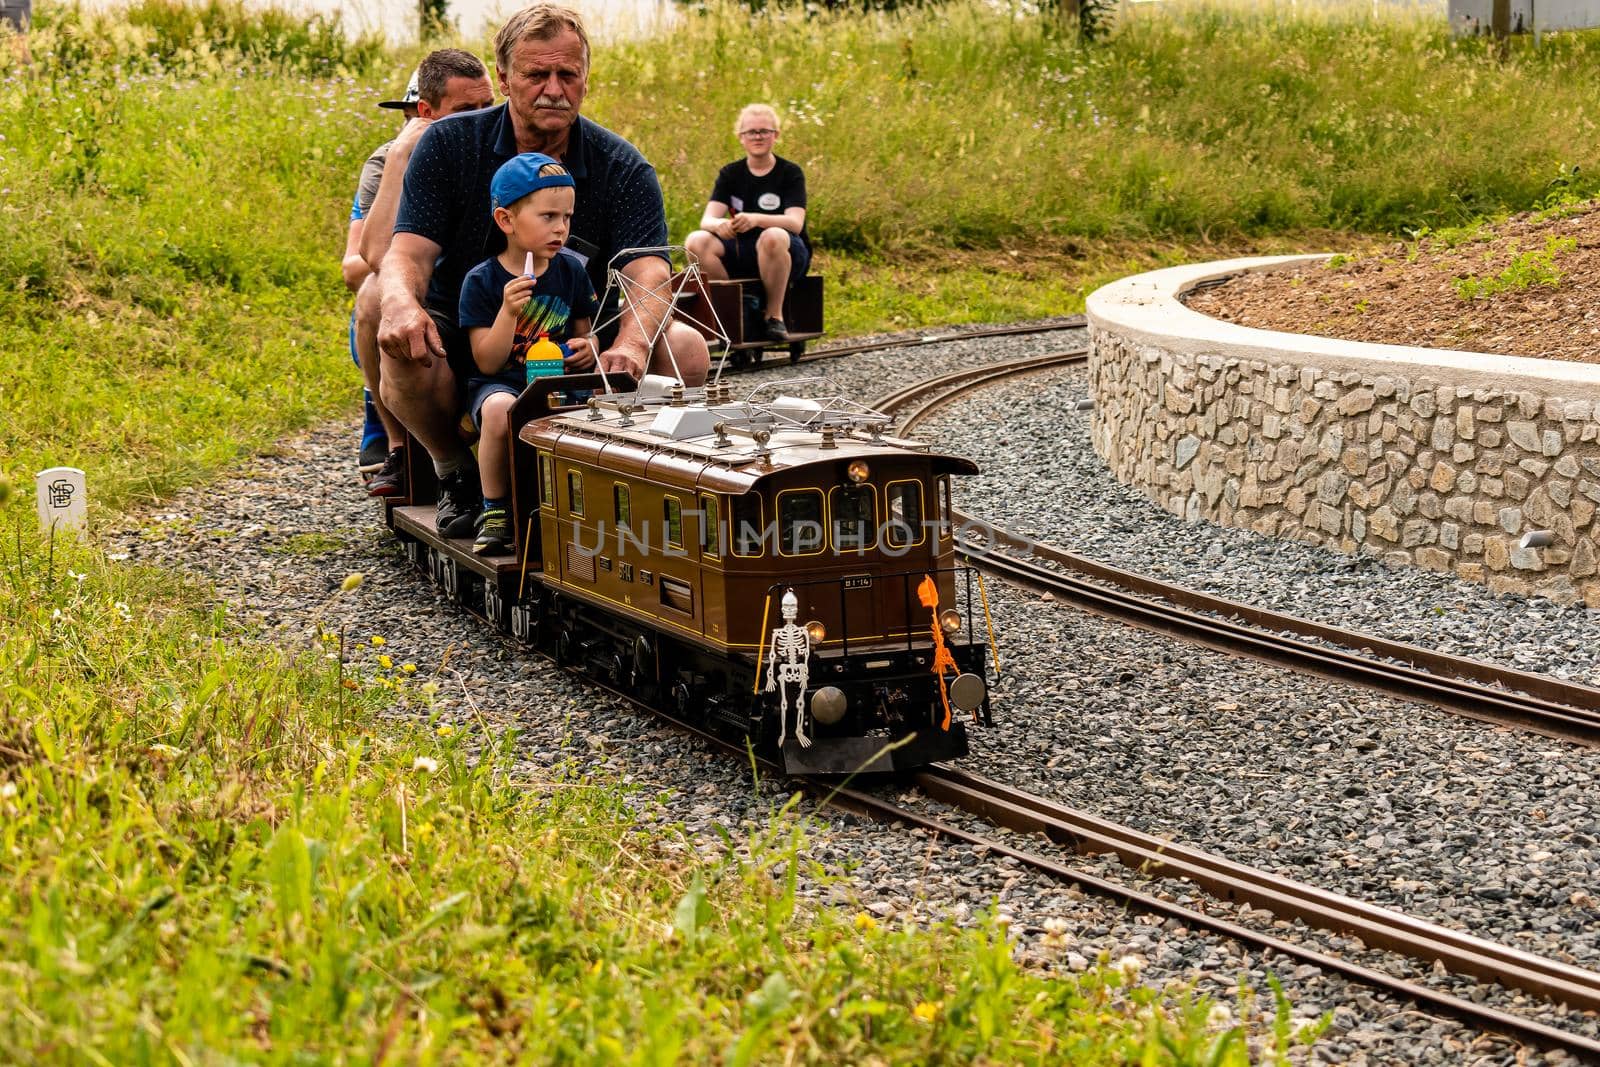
(532, 290)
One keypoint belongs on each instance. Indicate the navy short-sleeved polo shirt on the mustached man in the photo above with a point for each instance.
(447, 198)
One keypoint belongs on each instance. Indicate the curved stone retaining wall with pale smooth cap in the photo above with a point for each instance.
(1423, 458)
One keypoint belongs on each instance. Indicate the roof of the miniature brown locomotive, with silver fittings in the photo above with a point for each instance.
(727, 446)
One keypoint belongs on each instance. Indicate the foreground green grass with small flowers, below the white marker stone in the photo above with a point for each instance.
(215, 855)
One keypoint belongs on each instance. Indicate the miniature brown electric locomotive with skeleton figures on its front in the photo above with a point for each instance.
(660, 533)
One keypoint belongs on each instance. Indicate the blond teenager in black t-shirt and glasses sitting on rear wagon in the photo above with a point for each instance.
(754, 225)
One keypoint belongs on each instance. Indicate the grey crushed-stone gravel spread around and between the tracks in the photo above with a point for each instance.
(1484, 829)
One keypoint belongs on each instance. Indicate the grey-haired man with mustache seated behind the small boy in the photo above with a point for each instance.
(446, 228)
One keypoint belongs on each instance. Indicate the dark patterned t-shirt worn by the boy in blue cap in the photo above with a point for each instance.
(561, 297)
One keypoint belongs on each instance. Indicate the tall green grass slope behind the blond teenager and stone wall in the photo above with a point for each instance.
(966, 126)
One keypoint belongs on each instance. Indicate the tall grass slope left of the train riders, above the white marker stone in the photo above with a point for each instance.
(174, 212)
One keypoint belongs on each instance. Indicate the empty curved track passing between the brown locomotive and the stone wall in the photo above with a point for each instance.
(1466, 687)
